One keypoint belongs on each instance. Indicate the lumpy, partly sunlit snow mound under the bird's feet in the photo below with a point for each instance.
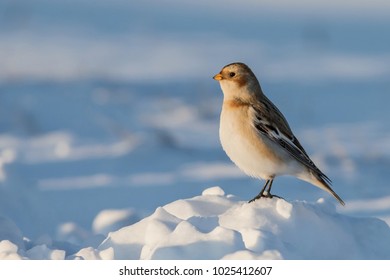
(218, 226)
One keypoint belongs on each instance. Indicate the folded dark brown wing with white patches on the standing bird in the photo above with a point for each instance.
(270, 122)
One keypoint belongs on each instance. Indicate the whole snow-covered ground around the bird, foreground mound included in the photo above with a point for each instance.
(109, 116)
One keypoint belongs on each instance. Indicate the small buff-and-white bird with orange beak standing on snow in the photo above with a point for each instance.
(257, 137)
